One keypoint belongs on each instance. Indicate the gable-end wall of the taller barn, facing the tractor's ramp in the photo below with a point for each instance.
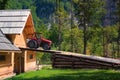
(30, 64)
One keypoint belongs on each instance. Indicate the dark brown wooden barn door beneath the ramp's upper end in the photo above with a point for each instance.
(18, 63)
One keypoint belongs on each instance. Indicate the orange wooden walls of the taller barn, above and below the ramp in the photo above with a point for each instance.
(20, 40)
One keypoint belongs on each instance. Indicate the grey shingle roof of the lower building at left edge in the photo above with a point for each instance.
(5, 44)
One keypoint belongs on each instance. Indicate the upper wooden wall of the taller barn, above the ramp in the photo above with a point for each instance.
(20, 40)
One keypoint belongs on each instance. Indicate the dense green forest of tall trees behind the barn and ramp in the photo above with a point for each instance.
(80, 26)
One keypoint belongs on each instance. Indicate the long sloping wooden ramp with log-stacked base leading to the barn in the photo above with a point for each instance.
(62, 59)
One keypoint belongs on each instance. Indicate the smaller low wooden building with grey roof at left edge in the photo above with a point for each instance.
(7, 52)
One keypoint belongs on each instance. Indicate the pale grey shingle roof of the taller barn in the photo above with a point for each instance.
(13, 21)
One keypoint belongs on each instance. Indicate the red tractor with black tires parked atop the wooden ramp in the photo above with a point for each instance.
(38, 41)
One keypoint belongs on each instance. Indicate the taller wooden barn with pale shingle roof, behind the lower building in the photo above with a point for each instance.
(17, 25)
